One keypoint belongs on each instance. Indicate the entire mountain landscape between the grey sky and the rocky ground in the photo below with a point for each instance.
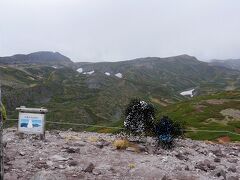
(97, 93)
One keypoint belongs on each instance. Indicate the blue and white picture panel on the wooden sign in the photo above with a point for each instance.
(31, 123)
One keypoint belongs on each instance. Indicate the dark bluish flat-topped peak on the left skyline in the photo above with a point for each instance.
(41, 57)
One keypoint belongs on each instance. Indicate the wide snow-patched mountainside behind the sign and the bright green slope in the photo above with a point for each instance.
(98, 92)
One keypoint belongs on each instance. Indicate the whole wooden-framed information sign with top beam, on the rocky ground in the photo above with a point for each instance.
(32, 121)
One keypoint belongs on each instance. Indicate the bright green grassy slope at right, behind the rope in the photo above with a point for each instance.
(204, 113)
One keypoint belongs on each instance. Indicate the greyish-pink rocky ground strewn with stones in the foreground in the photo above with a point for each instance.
(74, 156)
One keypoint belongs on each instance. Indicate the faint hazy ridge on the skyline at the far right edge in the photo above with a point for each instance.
(230, 63)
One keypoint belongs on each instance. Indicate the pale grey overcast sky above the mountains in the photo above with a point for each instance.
(111, 30)
